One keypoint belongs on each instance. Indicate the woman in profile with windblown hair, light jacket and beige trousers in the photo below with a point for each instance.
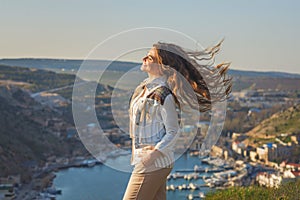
(175, 80)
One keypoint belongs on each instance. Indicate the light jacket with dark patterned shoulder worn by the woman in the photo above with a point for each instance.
(154, 122)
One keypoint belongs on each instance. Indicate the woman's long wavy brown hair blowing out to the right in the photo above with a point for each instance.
(209, 83)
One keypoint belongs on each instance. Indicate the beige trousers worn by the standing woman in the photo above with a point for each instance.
(147, 183)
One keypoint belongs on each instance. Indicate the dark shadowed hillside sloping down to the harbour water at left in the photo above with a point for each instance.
(27, 137)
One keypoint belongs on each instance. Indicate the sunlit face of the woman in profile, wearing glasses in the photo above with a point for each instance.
(150, 64)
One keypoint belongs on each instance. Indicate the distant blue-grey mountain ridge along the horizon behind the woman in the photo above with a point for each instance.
(69, 64)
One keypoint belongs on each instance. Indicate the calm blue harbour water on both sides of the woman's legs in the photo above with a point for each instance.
(104, 183)
